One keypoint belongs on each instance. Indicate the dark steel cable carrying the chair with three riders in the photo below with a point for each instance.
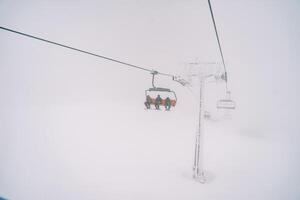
(83, 51)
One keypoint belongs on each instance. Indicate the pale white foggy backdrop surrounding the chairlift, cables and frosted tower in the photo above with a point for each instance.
(74, 127)
